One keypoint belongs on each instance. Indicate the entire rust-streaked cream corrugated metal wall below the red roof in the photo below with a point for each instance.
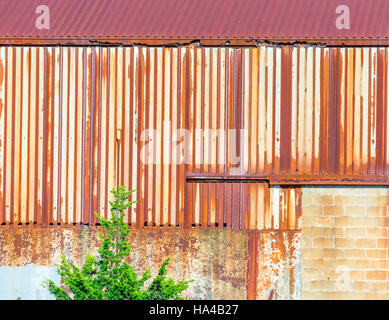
(72, 123)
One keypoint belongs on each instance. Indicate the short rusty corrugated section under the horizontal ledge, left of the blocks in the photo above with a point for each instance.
(240, 205)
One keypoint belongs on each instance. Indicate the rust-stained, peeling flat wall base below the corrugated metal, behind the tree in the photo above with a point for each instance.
(225, 264)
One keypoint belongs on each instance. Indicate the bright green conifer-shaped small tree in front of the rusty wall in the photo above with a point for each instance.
(108, 276)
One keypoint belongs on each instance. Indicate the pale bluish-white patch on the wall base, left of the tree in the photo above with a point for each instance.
(24, 282)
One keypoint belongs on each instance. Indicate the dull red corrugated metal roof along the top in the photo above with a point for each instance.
(194, 19)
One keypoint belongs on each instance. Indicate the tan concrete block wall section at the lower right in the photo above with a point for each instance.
(345, 239)
